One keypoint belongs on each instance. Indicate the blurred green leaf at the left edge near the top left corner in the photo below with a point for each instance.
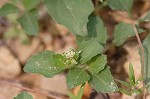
(8, 9)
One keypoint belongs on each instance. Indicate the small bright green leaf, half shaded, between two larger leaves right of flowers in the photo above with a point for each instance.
(97, 63)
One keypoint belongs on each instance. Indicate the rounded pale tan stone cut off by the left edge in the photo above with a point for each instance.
(9, 65)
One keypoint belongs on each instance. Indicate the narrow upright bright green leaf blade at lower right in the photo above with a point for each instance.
(131, 75)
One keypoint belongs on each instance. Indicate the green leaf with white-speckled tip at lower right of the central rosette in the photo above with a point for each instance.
(103, 82)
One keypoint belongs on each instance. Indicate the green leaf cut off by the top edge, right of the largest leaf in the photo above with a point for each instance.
(123, 5)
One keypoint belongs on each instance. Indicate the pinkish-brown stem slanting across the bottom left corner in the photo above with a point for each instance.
(31, 90)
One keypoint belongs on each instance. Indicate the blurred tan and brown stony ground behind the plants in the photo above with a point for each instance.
(15, 49)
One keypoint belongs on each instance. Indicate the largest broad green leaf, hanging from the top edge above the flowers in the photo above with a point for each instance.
(71, 13)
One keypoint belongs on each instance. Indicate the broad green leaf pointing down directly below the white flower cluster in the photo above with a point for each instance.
(77, 76)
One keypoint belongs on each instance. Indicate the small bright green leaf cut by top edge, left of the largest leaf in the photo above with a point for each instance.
(30, 4)
